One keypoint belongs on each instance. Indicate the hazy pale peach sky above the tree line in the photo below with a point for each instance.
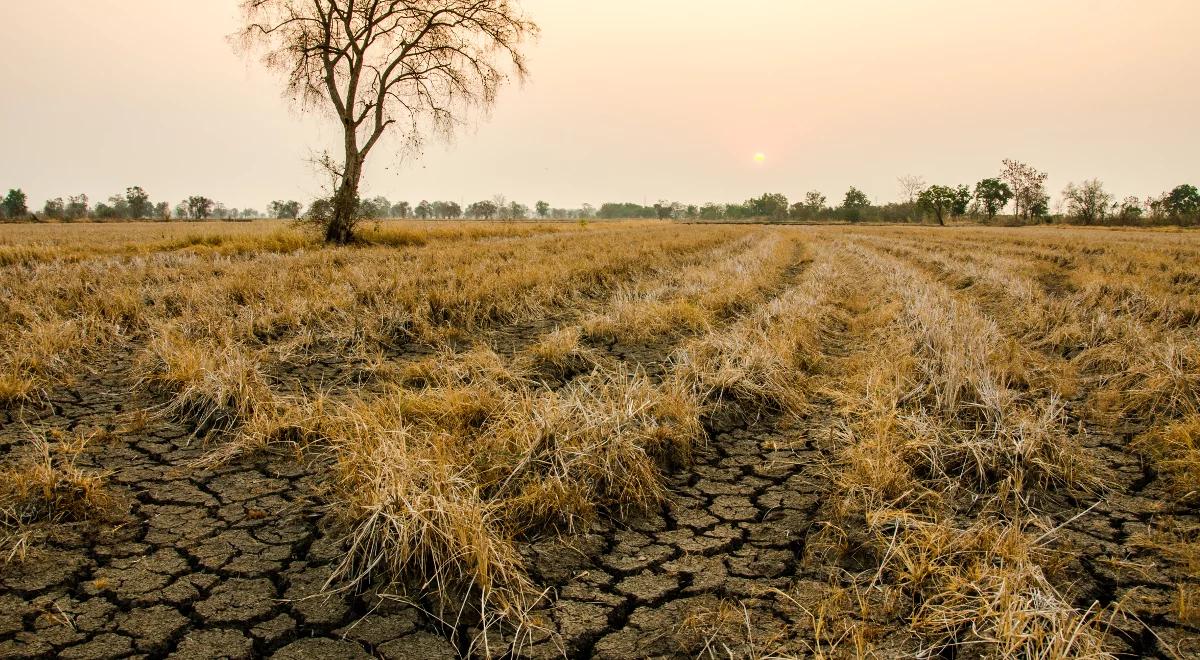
(631, 100)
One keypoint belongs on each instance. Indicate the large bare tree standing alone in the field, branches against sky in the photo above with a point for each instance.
(377, 64)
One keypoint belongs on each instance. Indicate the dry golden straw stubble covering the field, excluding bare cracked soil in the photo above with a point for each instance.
(980, 383)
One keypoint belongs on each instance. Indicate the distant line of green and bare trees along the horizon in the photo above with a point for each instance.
(1018, 187)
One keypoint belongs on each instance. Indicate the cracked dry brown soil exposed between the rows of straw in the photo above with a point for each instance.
(232, 560)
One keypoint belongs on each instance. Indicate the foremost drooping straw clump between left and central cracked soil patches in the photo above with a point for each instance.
(415, 509)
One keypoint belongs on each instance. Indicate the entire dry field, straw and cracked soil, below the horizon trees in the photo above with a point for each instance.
(611, 440)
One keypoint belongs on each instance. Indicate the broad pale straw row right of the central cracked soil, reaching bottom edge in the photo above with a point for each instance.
(933, 435)
